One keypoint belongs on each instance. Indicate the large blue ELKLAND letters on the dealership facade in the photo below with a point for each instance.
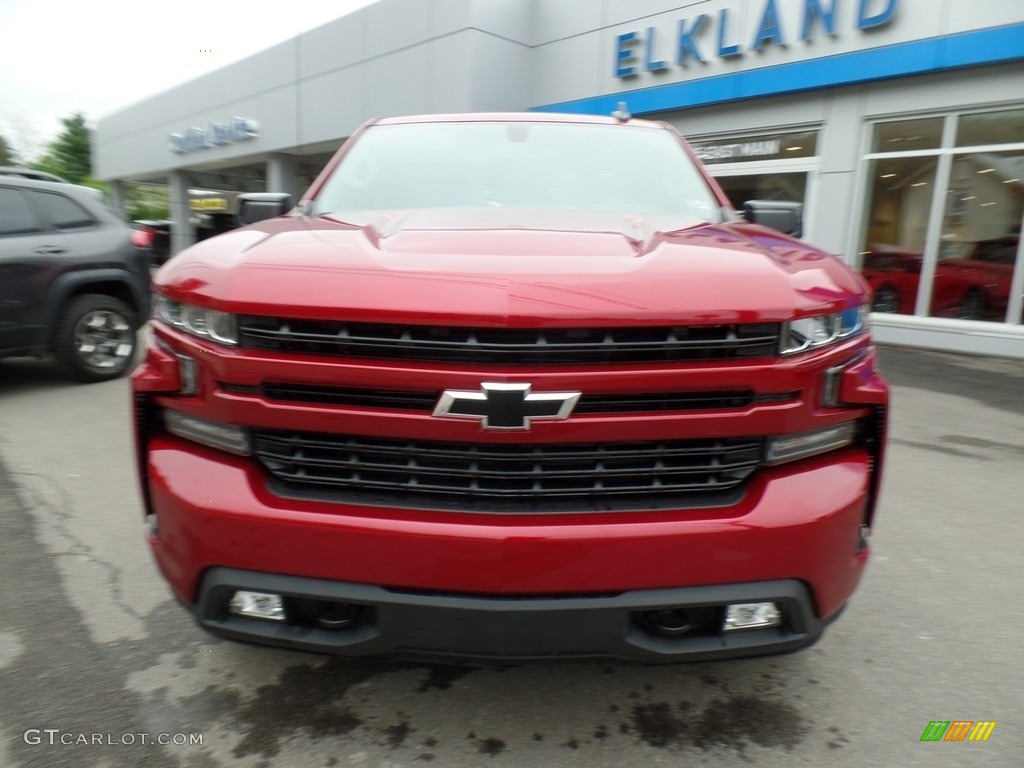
(706, 36)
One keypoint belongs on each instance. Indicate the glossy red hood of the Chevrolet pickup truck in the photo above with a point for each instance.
(499, 267)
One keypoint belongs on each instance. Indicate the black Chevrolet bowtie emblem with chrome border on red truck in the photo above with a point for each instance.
(505, 406)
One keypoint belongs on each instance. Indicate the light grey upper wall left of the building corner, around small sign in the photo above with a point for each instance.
(393, 58)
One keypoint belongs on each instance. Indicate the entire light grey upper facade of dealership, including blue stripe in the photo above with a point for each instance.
(407, 57)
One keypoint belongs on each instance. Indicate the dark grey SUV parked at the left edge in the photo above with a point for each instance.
(72, 284)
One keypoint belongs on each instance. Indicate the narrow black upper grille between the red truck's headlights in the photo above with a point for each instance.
(511, 347)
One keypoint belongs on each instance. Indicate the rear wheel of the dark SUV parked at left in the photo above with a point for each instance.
(96, 338)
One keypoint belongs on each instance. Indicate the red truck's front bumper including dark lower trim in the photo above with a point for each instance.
(447, 585)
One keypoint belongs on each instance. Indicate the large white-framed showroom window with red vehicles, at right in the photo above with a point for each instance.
(942, 236)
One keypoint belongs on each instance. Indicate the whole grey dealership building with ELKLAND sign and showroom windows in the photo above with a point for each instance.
(900, 124)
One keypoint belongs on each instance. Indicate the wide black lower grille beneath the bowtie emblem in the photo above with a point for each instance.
(422, 474)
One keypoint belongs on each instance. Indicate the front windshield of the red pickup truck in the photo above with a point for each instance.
(556, 166)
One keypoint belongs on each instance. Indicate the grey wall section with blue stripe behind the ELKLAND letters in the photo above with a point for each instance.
(742, 58)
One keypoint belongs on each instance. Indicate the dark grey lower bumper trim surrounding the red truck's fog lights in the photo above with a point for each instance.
(486, 629)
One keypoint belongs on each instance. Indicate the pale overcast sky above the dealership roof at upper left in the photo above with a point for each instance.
(97, 57)
